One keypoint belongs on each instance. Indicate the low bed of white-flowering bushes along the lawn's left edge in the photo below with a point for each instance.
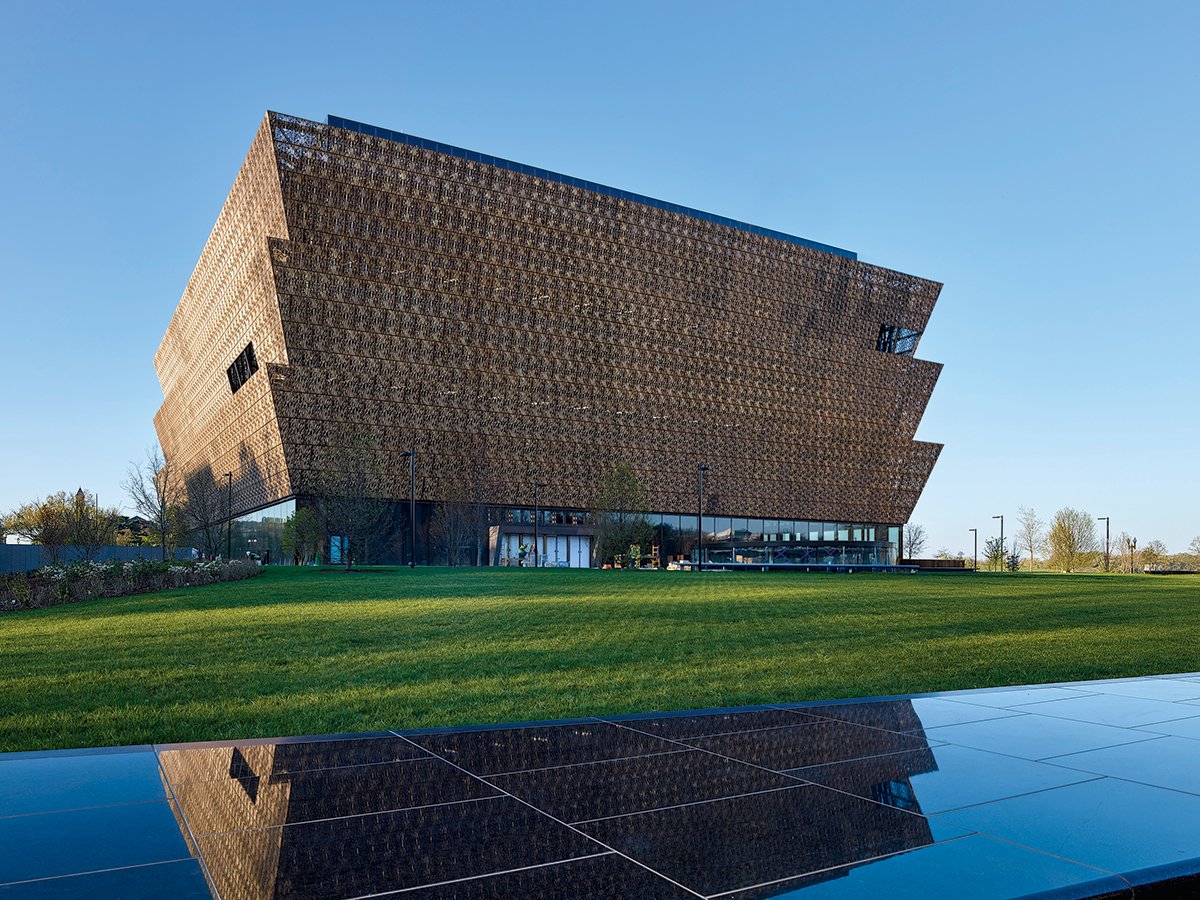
(88, 580)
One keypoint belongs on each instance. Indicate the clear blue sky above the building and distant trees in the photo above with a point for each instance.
(1039, 159)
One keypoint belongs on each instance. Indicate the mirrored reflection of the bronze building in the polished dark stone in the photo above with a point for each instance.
(367, 817)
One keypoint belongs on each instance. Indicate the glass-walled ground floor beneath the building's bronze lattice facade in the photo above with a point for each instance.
(505, 536)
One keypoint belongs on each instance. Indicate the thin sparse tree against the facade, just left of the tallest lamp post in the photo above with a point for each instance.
(346, 497)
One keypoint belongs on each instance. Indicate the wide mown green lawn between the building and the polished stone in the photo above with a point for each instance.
(305, 652)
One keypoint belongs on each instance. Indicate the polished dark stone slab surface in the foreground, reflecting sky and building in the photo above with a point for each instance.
(1057, 791)
